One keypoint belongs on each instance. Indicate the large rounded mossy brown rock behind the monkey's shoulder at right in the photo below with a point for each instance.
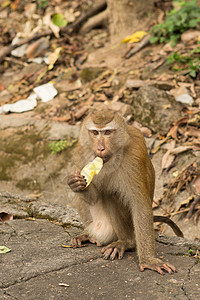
(155, 108)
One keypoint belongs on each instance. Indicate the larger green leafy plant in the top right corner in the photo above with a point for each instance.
(185, 16)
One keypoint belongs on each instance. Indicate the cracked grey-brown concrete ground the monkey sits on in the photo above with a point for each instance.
(38, 267)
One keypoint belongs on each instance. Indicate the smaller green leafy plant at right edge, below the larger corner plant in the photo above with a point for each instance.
(189, 63)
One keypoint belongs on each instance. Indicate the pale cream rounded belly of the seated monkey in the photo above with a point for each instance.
(100, 229)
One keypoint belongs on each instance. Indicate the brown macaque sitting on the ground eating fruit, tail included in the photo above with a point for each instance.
(116, 208)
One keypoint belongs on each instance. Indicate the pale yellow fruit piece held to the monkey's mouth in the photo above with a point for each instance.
(91, 169)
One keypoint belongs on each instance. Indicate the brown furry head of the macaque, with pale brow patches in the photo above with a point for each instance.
(103, 133)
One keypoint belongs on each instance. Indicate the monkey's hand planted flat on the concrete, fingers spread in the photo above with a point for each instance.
(157, 265)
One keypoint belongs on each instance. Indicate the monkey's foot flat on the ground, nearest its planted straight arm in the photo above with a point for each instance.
(113, 250)
